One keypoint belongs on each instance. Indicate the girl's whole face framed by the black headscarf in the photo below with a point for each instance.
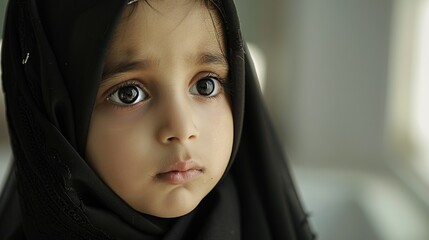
(161, 131)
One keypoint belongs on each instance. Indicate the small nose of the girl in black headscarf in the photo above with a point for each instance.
(177, 121)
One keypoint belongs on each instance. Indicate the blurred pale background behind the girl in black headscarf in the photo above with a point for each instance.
(345, 84)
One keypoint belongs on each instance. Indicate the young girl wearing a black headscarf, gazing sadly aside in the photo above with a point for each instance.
(139, 120)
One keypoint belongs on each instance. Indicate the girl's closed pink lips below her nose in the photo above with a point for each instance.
(181, 172)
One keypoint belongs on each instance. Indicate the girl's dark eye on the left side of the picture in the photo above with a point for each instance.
(127, 95)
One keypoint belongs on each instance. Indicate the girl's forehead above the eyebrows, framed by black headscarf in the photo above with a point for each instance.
(188, 24)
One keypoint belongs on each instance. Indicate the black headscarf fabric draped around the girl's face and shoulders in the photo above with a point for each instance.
(52, 61)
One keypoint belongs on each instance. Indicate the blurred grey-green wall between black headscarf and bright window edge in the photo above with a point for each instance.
(327, 75)
